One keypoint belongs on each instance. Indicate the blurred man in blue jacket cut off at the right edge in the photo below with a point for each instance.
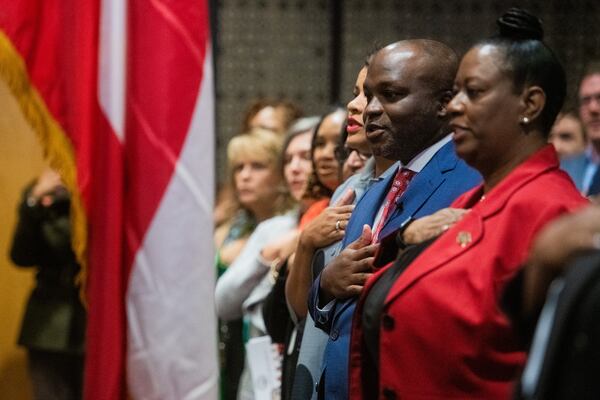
(583, 169)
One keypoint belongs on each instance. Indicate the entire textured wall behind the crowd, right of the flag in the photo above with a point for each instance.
(284, 47)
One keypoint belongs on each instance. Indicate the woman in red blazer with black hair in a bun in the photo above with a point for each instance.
(434, 330)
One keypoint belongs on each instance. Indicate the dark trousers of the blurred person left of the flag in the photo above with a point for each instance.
(55, 376)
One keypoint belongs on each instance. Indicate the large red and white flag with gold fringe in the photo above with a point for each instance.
(121, 94)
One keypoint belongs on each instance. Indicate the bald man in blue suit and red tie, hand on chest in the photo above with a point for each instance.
(408, 85)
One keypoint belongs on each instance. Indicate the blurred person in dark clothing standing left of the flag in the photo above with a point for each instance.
(53, 327)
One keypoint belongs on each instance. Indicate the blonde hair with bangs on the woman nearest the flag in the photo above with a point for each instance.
(264, 145)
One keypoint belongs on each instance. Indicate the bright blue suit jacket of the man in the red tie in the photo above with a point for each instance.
(442, 180)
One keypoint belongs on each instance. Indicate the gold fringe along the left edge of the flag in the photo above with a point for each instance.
(55, 143)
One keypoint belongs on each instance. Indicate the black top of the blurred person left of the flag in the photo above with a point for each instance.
(54, 318)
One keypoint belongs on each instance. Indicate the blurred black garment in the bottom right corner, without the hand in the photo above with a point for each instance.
(570, 365)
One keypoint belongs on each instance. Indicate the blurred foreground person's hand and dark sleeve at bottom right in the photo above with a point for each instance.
(564, 271)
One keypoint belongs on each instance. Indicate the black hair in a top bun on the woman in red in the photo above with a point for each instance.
(530, 61)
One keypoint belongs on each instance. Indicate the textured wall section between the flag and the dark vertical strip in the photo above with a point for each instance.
(269, 48)
